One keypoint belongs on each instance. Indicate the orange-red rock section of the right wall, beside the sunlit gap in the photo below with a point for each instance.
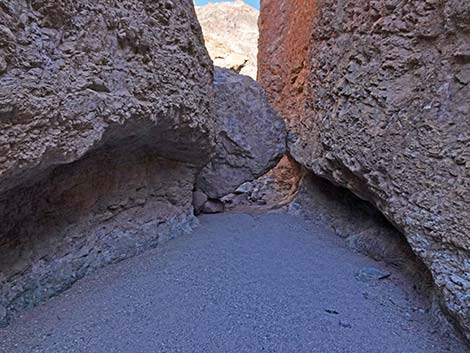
(283, 57)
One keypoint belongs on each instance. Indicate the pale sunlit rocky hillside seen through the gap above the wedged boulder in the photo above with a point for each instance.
(231, 35)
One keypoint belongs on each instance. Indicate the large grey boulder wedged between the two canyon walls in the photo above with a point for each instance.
(251, 137)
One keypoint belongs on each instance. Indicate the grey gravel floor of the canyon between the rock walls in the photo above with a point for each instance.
(240, 283)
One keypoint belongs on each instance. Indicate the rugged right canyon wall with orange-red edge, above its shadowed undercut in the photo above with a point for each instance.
(384, 112)
